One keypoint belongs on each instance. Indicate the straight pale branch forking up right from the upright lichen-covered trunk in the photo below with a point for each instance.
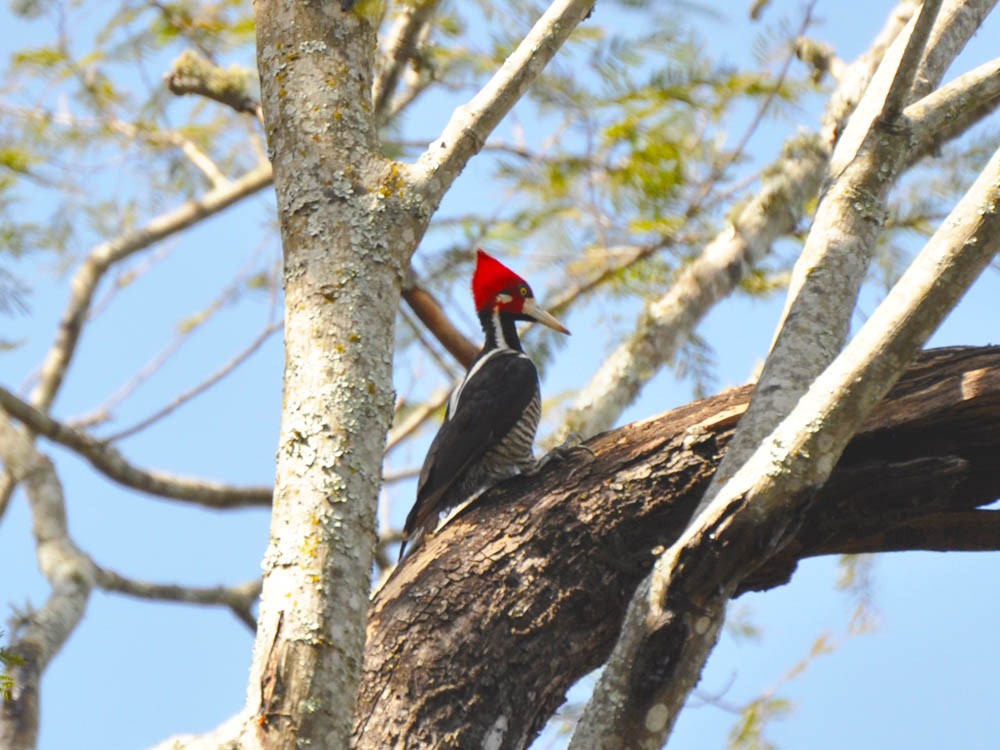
(471, 124)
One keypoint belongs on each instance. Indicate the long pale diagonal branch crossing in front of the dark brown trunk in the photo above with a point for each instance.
(676, 614)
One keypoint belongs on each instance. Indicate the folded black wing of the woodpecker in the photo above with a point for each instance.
(491, 401)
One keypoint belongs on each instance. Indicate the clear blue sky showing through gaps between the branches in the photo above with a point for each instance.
(135, 673)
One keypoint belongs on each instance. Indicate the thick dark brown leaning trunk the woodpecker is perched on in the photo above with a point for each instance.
(475, 639)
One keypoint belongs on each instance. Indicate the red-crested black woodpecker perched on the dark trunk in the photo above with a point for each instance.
(490, 422)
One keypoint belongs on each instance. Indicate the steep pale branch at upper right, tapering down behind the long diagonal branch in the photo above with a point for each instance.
(826, 279)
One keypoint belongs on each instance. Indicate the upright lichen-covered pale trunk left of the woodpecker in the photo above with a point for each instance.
(342, 281)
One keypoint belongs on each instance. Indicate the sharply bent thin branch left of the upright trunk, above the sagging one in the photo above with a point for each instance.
(102, 257)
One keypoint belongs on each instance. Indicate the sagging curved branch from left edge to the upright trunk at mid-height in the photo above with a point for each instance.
(109, 461)
